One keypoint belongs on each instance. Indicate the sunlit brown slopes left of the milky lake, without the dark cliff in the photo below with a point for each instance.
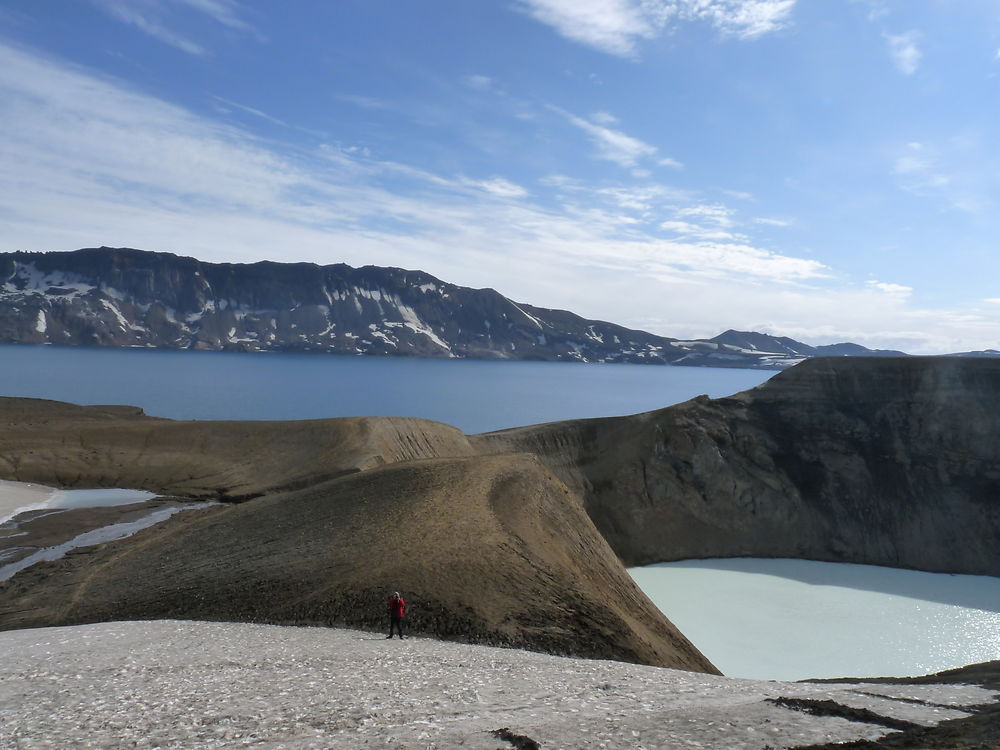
(492, 549)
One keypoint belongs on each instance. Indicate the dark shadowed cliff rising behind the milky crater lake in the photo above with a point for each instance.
(883, 461)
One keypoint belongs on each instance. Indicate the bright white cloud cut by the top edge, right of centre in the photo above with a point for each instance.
(617, 26)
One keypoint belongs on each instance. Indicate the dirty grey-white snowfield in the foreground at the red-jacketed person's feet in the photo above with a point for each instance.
(214, 685)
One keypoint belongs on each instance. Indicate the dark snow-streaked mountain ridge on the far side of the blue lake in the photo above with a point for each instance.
(133, 298)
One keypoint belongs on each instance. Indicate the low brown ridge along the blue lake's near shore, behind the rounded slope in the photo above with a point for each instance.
(73, 446)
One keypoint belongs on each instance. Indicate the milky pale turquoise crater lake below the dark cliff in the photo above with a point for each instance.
(796, 619)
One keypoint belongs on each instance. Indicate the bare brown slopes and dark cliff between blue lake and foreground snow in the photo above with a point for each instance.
(517, 537)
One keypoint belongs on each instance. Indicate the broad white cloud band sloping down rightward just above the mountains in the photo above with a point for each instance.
(88, 161)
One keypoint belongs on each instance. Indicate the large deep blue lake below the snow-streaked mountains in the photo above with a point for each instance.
(473, 395)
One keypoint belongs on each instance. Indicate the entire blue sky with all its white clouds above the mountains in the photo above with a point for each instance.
(825, 170)
